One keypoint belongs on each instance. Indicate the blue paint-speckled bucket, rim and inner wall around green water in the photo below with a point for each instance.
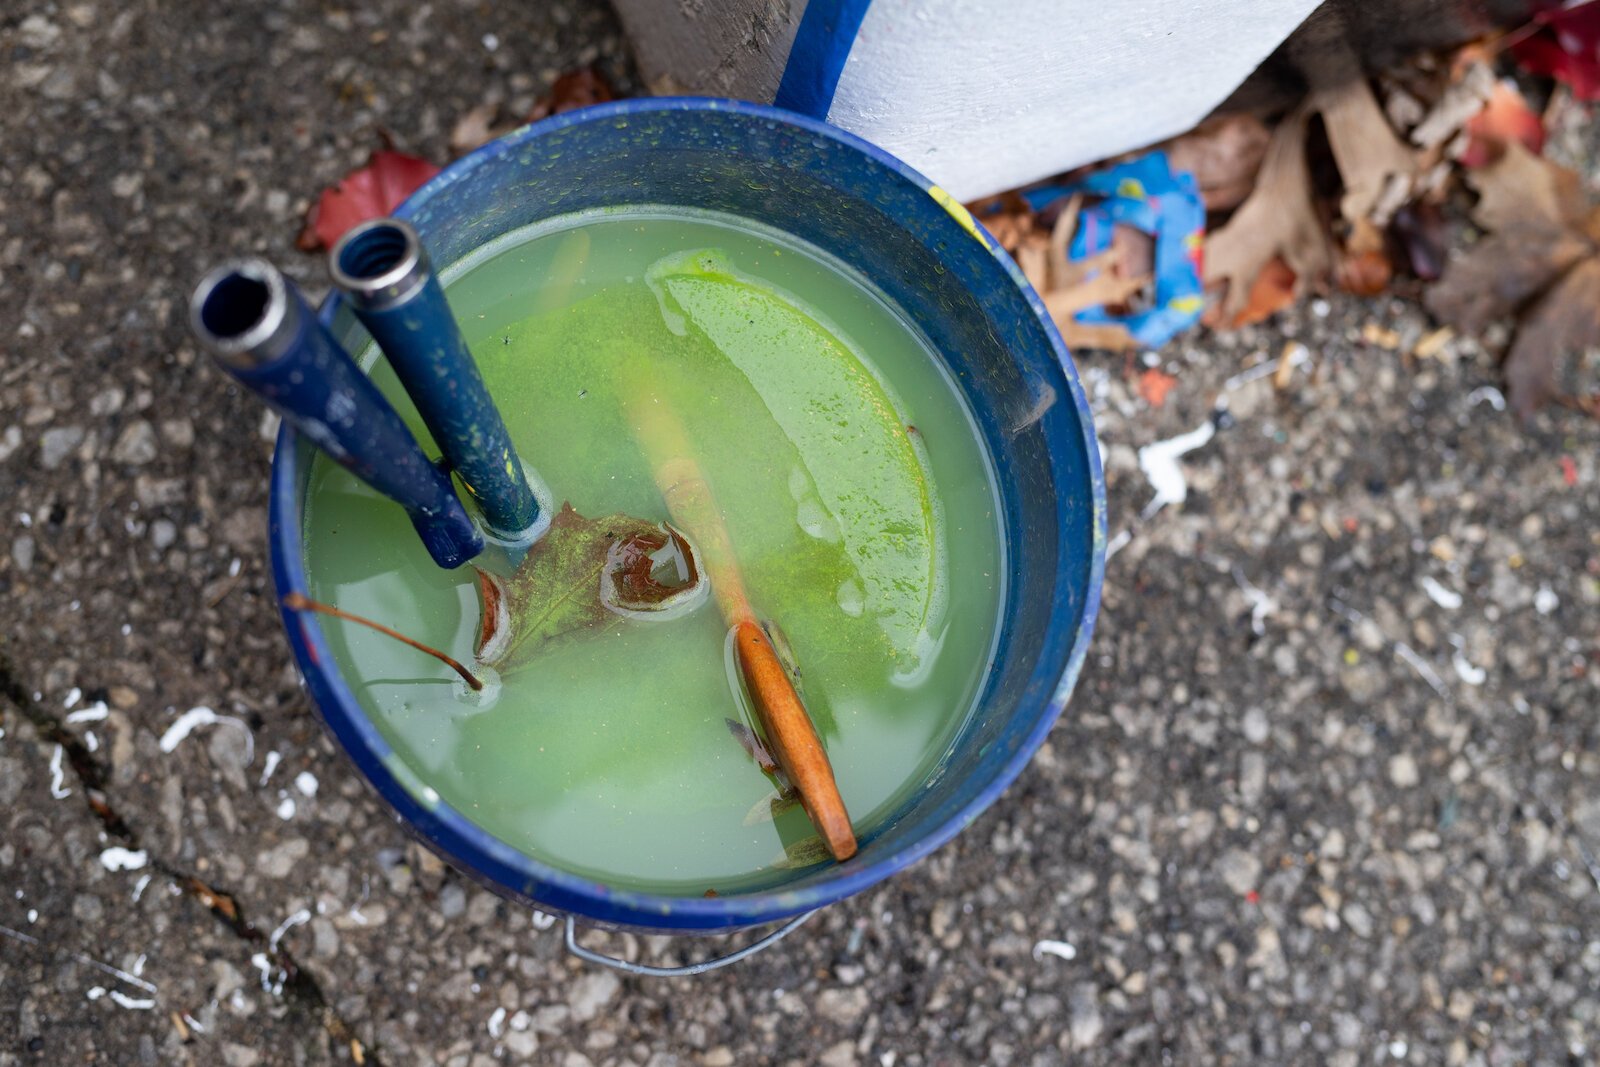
(969, 298)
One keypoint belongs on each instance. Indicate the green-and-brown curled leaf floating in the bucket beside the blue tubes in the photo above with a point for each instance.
(585, 573)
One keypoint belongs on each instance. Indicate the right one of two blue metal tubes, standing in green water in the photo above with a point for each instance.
(390, 282)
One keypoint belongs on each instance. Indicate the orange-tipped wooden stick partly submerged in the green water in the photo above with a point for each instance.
(788, 725)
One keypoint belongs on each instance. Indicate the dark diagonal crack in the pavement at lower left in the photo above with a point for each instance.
(297, 985)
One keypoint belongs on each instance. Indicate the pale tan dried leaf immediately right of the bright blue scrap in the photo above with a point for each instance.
(1278, 220)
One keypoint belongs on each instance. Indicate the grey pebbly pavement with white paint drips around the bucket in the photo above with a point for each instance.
(1329, 793)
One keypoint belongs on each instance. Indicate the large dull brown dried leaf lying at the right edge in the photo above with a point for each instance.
(1542, 263)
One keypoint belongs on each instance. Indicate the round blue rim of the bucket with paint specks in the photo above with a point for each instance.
(543, 885)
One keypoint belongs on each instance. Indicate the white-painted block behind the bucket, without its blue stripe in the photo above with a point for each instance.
(983, 95)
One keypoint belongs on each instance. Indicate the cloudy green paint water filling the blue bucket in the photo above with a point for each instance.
(855, 492)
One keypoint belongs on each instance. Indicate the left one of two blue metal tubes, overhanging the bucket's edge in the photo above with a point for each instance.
(263, 334)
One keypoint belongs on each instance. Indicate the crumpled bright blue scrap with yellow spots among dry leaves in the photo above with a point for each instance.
(1148, 196)
